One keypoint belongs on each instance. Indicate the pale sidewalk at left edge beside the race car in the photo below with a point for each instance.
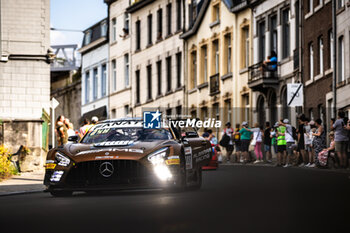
(29, 182)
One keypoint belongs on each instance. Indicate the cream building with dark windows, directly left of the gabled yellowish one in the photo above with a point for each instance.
(157, 56)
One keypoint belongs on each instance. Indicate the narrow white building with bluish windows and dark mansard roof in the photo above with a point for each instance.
(94, 68)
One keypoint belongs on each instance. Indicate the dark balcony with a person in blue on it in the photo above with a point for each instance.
(261, 79)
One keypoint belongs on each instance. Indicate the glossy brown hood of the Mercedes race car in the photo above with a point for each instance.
(80, 152)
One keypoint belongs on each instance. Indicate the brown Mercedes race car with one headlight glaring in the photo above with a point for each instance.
(122, 154)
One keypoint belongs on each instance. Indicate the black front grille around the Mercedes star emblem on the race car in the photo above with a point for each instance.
(125, 172)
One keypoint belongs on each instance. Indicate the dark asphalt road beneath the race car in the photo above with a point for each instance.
(232, 199)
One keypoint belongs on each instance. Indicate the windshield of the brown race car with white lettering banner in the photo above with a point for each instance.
(125, 136)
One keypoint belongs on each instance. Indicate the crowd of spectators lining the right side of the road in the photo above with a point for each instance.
(304, 145)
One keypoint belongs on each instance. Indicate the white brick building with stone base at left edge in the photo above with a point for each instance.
(25, 78)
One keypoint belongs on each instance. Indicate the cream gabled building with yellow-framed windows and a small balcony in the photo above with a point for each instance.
(218, 52)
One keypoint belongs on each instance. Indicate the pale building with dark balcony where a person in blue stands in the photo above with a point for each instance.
(275, 28)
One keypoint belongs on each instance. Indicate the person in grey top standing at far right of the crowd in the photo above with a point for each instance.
(341, 138)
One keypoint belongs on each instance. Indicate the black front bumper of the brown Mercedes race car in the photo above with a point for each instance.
(128, 174)
